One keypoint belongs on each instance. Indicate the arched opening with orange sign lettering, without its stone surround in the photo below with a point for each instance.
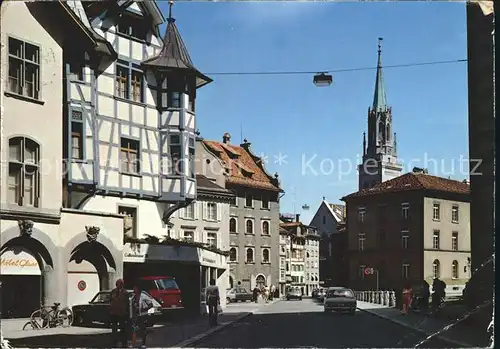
(23, 262)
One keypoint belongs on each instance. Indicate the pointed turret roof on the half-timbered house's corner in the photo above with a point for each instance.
(174, 54)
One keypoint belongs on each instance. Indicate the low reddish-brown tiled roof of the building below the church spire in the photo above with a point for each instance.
(414, 181)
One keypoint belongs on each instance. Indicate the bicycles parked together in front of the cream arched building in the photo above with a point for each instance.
(49, 317)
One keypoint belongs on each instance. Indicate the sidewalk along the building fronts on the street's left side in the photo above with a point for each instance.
(179, 334)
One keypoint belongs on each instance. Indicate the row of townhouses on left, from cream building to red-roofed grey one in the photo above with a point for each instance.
(116, 181)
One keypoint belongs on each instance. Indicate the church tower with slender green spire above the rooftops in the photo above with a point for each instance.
(380, 161)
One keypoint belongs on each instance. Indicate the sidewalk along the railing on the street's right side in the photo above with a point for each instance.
(459, 335)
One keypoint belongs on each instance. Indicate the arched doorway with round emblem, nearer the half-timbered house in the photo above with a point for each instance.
(89, 268)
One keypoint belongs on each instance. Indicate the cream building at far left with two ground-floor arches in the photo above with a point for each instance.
(49, 253)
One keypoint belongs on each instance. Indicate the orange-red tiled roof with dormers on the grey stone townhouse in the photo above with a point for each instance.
(244, 168)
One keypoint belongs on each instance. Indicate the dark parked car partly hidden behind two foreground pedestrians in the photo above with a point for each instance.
(97, 310)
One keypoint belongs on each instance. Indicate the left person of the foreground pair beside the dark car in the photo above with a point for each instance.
(119, 311)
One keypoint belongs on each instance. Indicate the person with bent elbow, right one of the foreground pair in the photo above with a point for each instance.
(139, 307)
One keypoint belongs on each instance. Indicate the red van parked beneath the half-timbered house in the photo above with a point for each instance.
(164, 289)
